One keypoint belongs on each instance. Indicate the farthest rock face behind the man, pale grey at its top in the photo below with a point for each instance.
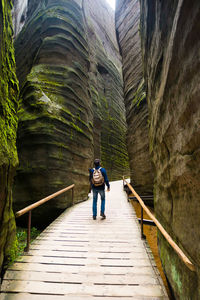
(106, 87)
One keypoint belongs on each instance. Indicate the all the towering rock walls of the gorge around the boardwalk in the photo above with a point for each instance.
(79, 81)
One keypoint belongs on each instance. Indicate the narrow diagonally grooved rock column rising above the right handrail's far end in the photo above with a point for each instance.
(127, 25)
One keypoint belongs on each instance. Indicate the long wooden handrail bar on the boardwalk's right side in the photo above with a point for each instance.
(180, 253)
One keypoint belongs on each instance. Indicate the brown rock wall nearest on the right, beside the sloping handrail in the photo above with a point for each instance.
(170, 37)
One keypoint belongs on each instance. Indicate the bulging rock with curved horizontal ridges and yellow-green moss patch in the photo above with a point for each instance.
(55, 120)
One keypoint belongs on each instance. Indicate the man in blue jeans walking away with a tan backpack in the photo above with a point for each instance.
(98, 179)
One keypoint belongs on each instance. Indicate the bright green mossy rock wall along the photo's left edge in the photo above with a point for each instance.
(8, 127)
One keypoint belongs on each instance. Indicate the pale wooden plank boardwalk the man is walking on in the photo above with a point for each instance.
(78, 258)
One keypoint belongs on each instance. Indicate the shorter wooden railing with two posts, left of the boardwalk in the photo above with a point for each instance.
(29, 209)
